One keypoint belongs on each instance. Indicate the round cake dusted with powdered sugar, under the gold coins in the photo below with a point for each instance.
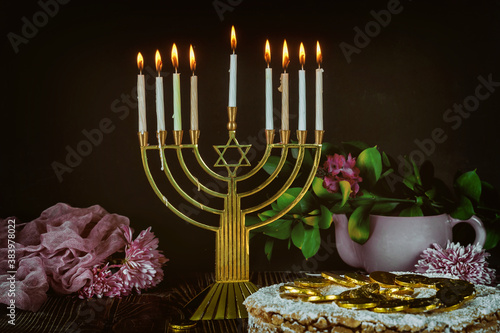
(270, 311)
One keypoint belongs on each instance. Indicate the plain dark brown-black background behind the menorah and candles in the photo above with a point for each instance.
(80, 68)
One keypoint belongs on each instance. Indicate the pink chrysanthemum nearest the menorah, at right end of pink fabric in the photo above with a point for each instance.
(141, 267)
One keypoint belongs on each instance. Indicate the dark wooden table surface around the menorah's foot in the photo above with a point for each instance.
(150, 312)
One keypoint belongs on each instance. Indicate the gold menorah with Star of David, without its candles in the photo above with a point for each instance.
(225, 297)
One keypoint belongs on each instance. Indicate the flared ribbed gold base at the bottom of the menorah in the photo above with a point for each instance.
(224, 300)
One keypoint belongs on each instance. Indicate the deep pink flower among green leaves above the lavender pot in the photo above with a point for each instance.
(337, 169)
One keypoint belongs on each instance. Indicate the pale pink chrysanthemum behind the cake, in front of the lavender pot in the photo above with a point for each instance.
(467, 263)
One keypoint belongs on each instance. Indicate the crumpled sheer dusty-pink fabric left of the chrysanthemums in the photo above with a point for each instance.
(64, 243)
